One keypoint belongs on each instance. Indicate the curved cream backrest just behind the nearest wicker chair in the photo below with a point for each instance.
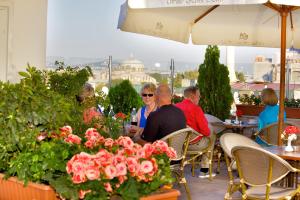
(230, 140)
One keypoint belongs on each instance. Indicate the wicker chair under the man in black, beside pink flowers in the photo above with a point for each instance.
(179, 140)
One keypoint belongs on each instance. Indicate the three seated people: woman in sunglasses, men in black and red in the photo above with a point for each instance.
(159, 117)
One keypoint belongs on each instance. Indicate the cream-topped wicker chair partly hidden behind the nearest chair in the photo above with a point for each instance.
(228, 141)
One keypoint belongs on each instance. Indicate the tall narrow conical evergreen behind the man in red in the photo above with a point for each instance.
(214, 85)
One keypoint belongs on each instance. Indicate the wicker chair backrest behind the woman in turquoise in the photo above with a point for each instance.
(270, 132)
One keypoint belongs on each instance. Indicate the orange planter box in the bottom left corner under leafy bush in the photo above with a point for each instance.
(13, 189)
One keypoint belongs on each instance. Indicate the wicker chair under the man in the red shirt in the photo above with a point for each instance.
(194, 152)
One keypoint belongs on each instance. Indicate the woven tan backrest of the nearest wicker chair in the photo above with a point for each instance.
(258, 167)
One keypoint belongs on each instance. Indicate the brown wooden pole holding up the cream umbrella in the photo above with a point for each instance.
(283, 15)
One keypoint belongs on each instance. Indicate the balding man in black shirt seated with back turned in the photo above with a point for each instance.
(165, 120)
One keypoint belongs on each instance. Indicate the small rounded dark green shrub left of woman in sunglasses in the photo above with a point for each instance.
(123, 97)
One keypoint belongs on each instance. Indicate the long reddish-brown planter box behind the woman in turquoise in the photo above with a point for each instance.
(253, 110)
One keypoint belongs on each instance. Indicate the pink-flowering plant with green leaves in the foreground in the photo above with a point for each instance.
(94, 166)
